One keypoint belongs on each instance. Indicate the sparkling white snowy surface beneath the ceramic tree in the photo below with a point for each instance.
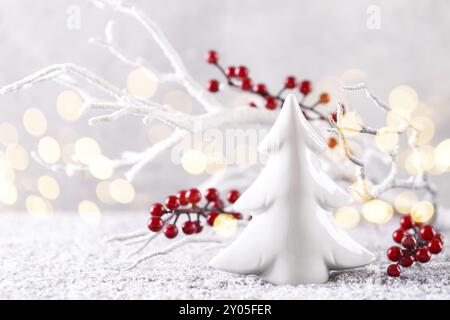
(62, 258)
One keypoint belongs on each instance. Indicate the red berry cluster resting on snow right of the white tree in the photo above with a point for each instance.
(418, 243)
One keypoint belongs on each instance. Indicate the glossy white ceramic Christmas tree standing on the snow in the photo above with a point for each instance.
(292, 238)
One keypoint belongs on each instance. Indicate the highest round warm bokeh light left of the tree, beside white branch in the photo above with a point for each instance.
(142, 83)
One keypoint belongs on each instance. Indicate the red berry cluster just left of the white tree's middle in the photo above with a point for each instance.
(188, 202)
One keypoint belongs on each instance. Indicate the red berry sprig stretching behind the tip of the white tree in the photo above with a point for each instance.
(239, 77)
